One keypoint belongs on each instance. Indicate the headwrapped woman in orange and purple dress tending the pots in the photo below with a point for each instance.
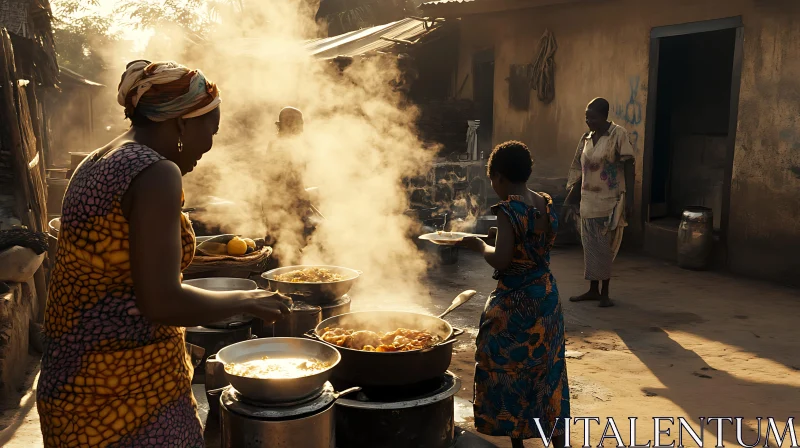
(115, 371)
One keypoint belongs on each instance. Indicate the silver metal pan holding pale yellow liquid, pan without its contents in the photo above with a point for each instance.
(285, 389)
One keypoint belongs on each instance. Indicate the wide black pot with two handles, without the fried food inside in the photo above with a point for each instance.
(369, 369)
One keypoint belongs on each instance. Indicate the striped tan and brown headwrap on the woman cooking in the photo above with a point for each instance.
(164, 90)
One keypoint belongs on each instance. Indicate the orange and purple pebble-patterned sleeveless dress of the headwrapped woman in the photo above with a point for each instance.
(110, 377)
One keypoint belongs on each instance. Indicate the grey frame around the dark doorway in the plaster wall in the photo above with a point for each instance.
(656, 34)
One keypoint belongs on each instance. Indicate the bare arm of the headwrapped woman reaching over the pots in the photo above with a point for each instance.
(153, 204)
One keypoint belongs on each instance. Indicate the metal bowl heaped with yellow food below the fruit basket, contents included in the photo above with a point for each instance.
(315, 284)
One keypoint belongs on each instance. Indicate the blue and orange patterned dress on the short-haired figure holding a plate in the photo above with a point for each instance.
(520, 370)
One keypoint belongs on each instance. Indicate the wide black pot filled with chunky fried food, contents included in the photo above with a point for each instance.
(388, 348)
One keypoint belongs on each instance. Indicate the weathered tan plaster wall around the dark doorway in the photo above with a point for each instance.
(603, 50)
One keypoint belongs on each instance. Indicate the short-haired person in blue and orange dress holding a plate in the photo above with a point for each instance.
(520, 372)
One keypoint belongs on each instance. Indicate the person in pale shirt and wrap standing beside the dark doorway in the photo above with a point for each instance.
(603, 173)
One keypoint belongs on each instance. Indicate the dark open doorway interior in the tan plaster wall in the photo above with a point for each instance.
(694, 100)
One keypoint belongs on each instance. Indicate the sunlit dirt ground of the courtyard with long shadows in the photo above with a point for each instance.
(678, 344)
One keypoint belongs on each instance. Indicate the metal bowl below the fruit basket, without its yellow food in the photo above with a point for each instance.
(316, 293)
